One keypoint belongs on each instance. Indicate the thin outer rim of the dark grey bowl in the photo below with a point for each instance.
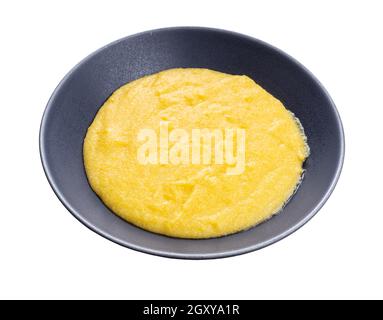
(169, 254)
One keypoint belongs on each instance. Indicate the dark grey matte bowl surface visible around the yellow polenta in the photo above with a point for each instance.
(81, 93)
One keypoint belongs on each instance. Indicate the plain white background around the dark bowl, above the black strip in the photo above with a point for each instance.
(46, 253)
